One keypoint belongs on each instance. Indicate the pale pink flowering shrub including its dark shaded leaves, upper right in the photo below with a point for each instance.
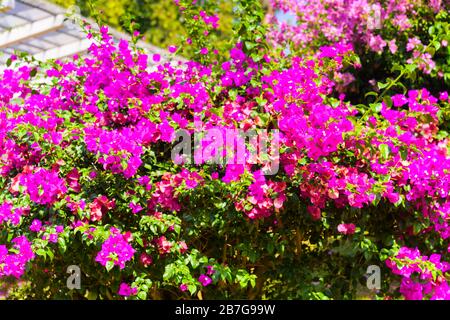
(384, 33)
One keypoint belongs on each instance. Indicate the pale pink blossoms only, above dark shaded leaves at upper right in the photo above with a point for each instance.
(362, 22)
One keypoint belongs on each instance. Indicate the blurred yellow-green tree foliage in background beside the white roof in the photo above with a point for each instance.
(159, 21)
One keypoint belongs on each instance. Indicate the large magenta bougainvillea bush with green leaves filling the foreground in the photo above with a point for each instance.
(88, 179)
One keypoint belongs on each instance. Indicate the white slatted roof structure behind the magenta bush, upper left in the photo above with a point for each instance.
(39, 28)
